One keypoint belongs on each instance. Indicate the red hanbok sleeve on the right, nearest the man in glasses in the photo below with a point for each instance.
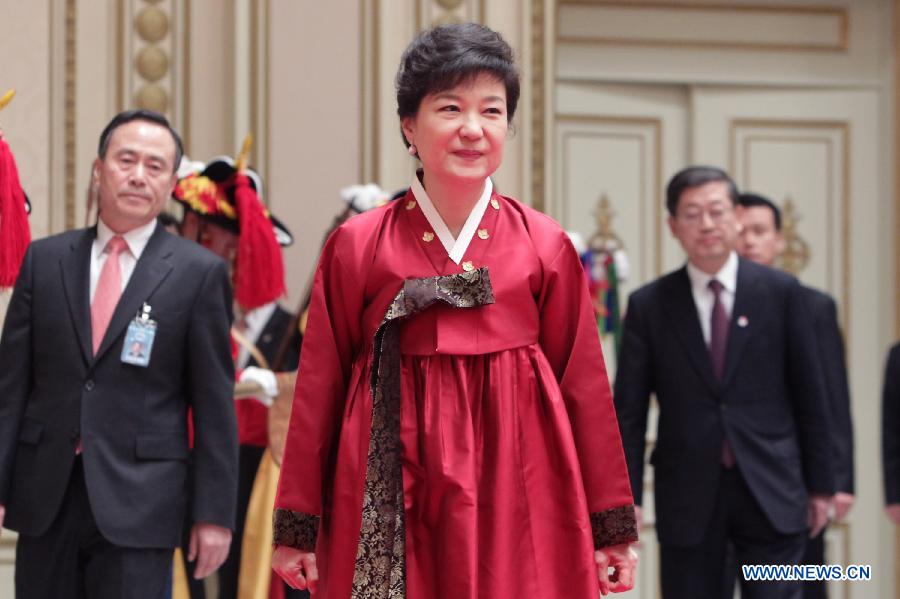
(570, 339)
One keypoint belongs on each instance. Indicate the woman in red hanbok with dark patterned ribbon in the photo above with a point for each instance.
(453, 433)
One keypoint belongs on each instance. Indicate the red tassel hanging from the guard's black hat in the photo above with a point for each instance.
(259, 268)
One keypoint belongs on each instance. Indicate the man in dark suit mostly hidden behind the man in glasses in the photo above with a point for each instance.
(762, 241)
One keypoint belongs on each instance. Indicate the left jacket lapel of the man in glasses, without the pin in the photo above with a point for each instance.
(683, 315)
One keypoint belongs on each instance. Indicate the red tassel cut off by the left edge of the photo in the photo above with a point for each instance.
(14, 232)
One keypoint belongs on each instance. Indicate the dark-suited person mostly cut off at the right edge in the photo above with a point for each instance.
(890, 435)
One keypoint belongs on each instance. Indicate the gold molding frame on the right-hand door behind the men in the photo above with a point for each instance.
(843, 129)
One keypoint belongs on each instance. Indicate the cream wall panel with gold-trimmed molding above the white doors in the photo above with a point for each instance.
(789, 42)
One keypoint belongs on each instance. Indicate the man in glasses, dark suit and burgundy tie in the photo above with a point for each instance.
(742, 452)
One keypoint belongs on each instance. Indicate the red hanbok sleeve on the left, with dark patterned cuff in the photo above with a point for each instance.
(333, 334)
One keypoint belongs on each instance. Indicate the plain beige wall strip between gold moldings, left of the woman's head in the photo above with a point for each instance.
(314, 115)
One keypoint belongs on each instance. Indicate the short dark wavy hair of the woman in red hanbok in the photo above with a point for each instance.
(444, 57)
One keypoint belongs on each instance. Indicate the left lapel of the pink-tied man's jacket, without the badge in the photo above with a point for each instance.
(76, 276)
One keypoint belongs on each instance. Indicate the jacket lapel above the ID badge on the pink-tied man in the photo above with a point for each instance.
(151, 269)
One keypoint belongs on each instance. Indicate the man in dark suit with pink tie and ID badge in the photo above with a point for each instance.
(94, 443)
